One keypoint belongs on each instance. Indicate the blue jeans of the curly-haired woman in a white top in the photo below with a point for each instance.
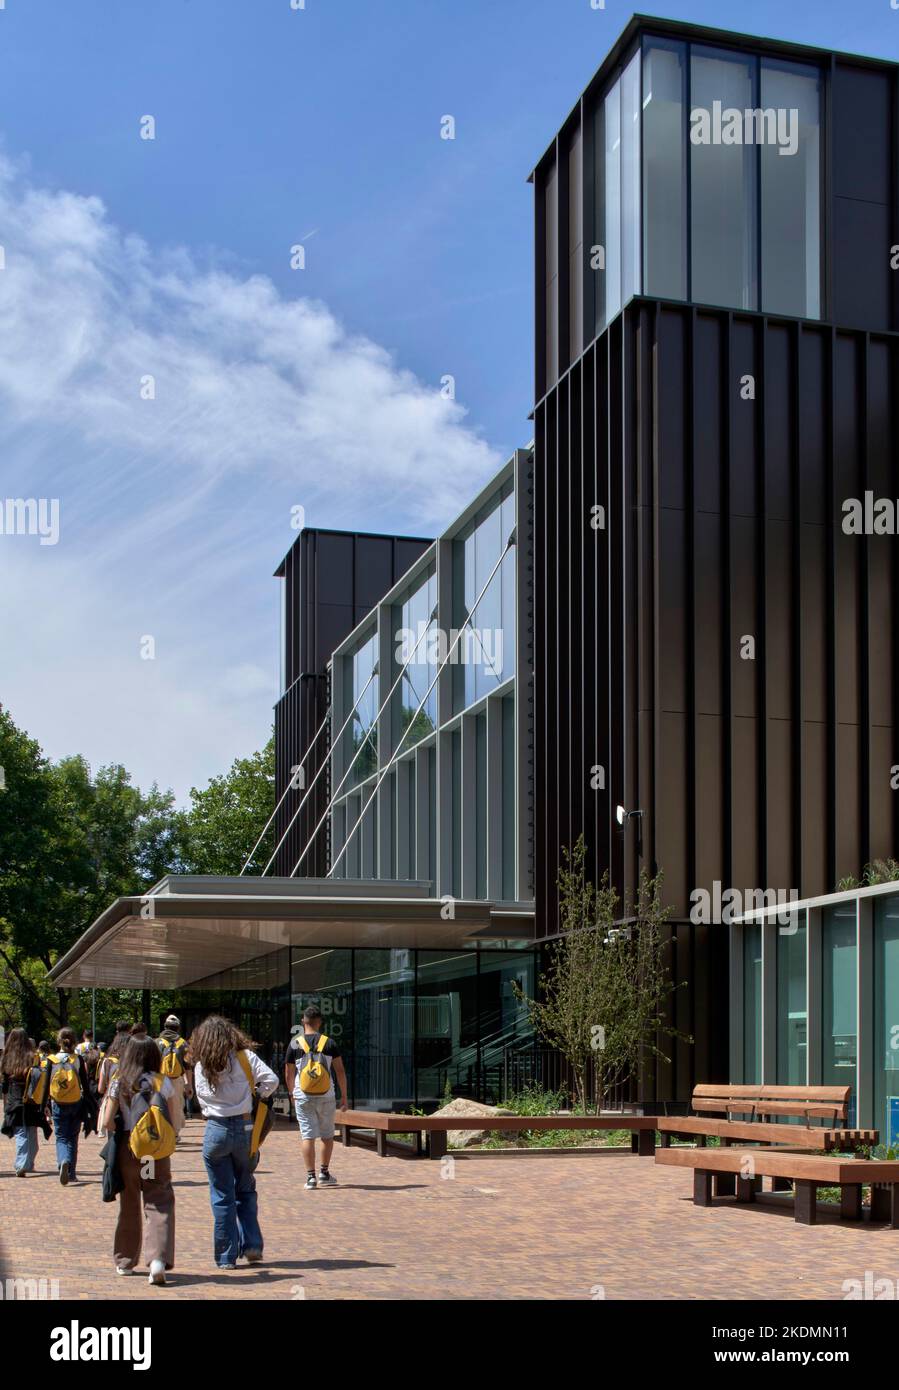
(233, 1188)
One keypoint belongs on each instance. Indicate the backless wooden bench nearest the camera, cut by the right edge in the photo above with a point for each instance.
(805, 1172)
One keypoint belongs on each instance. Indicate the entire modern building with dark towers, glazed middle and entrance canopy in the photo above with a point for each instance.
(654, 629)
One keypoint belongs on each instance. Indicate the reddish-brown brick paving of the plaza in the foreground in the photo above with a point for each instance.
(501, 1228)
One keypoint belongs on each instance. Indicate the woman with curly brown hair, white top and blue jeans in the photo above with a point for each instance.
(223, 1057)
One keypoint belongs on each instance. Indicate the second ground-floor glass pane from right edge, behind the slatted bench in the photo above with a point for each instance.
(840, 1022)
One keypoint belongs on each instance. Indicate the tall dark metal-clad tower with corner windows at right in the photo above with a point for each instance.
(716, 365)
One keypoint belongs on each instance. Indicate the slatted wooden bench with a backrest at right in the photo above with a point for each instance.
(761, 1107)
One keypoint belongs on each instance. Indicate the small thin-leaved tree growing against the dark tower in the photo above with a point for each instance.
(607, 988)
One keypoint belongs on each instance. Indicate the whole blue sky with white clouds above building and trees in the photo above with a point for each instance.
(274, 387)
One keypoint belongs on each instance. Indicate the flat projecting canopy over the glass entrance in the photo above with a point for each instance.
(190, 928)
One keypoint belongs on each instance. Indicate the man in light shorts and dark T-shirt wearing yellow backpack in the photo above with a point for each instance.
(313, 1061)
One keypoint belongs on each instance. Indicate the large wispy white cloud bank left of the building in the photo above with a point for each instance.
(174, 511)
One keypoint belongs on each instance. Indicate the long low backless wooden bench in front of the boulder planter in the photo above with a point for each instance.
(436, 1128)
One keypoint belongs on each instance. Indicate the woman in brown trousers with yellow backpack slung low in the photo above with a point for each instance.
(137, 1114)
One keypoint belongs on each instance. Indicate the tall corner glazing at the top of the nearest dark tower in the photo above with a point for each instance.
(744, 136)
